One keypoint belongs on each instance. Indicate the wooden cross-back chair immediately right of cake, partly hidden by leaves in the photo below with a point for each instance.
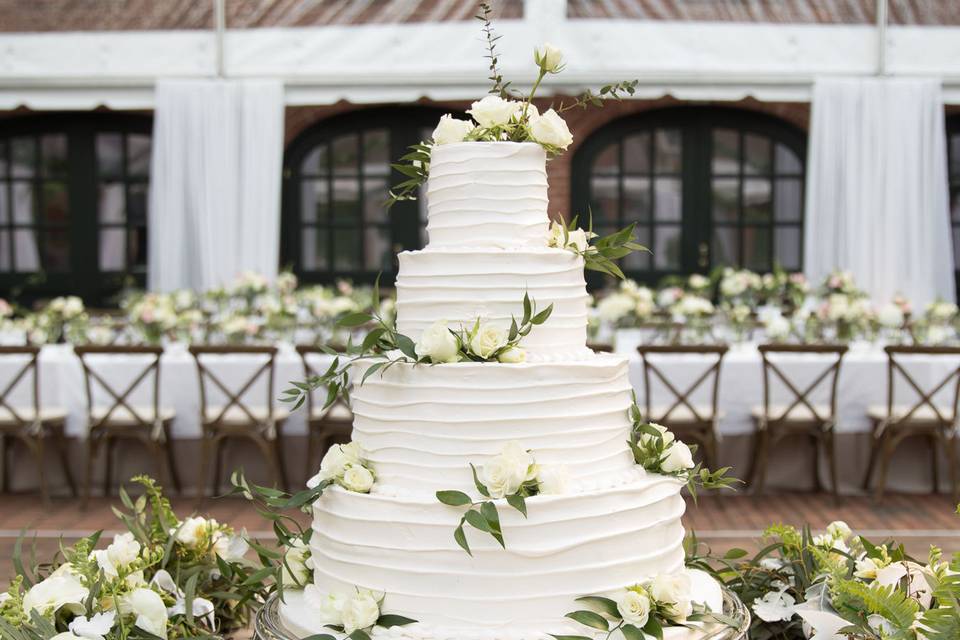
(691, 422)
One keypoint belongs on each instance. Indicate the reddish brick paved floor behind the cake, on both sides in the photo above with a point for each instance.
(721, 522)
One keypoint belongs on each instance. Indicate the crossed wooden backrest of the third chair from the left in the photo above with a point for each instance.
(234, 394)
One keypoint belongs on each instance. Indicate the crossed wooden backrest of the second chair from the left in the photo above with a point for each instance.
(91, 356)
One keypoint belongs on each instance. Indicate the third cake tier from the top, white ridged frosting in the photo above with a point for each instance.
(422, 426)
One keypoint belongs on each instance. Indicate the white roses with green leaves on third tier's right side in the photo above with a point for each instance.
(653, 445)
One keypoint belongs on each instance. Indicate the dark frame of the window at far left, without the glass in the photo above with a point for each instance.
(82, 275)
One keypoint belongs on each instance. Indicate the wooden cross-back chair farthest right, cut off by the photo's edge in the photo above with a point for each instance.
(925, 418)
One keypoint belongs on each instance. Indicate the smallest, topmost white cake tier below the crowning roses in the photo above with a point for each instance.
(487, 194)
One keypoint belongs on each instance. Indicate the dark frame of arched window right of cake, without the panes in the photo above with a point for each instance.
(696, 124)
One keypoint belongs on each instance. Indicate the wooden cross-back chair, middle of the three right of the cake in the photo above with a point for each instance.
(801, 416)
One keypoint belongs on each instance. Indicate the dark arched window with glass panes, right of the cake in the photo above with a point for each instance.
(707, 187)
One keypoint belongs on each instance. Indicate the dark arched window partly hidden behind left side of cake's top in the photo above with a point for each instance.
(336, 178)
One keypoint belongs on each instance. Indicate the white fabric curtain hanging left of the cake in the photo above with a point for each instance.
(215, 181)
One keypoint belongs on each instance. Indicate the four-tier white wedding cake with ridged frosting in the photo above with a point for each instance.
(596, 523)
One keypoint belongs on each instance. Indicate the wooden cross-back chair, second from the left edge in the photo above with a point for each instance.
(120, 418)
